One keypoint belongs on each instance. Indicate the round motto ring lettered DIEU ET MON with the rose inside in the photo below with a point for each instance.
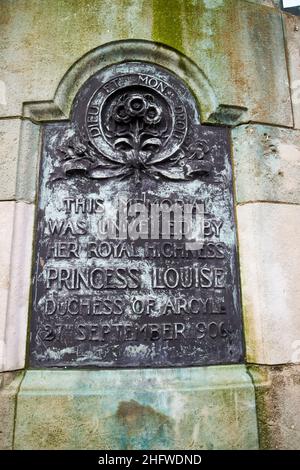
(136, 115)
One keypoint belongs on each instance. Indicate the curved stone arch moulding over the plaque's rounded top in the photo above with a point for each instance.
(118, 52)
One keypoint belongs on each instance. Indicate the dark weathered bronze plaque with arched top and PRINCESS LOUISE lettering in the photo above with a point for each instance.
(136, 259)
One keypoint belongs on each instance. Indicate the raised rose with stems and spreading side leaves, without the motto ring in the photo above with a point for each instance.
(136, 127)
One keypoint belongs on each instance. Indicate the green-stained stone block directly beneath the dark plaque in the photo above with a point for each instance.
(140, 409)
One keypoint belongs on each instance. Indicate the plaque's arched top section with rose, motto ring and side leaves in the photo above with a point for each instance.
(134, 119)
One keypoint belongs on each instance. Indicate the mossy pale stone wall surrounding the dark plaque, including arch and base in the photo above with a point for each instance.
(242, 61)
